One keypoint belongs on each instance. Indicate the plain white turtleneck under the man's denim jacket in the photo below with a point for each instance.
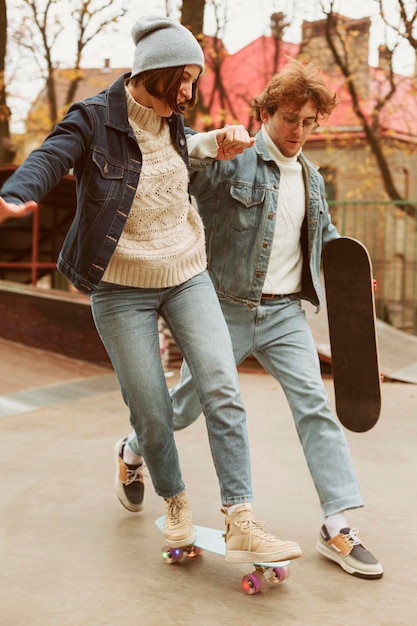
(286, 261)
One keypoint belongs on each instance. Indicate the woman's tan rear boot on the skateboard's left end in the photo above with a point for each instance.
(178, 527)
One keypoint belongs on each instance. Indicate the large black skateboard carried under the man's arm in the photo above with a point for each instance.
(352, 329)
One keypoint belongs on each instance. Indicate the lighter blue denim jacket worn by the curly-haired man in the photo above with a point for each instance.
(238, 202)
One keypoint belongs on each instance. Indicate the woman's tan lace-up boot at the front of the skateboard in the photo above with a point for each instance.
(248, 541)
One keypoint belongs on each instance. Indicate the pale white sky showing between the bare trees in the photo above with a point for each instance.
(246, 21)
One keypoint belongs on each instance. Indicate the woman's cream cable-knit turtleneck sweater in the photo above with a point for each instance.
(162, 244)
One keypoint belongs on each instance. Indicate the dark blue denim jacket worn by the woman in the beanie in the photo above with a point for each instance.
(96, 141)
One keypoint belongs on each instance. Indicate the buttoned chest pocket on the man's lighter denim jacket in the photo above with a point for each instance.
(246, 204)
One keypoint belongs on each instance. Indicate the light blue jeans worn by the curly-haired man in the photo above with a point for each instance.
(278, 335)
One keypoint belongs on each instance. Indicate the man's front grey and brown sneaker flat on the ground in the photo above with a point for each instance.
(347, 550)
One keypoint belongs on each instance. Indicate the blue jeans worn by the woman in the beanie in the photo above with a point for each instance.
(126, 319)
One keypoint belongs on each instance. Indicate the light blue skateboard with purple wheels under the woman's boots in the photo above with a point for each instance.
(212, 540)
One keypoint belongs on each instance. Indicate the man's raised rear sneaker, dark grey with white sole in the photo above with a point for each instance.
(128, 481)
